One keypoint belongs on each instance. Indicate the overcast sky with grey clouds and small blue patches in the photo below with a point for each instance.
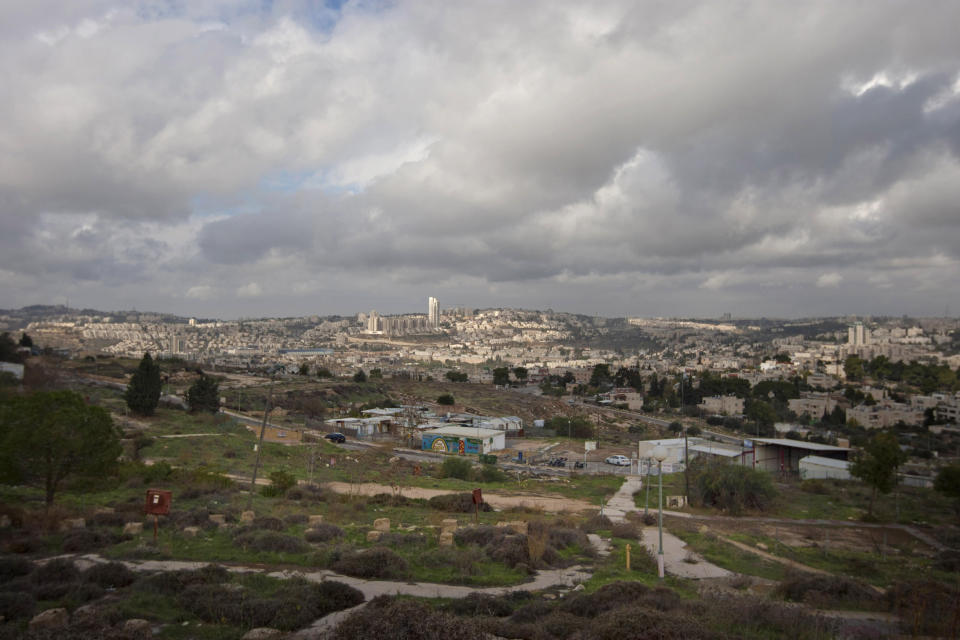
(619, 158)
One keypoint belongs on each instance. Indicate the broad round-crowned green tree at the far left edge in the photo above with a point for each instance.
(47, 437)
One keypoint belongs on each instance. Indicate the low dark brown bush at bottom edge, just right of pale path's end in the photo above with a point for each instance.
(386, 617)
